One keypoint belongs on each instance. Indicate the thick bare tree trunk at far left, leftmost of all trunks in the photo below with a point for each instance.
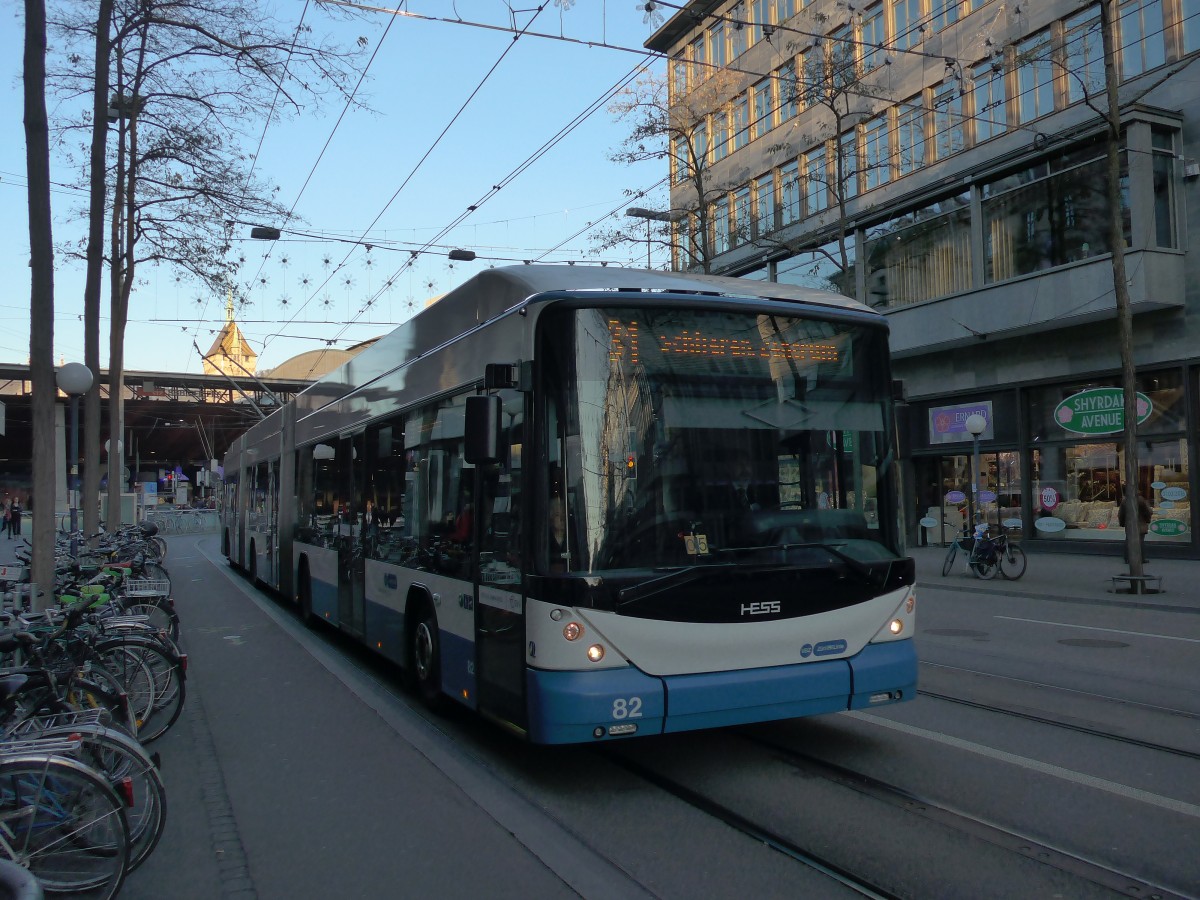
(41, 302)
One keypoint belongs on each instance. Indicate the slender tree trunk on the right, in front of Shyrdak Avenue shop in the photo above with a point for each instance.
(1121, 289)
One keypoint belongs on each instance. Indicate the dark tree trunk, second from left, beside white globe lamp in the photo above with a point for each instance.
(92, 443)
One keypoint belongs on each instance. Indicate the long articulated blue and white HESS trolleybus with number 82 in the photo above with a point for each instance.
(595, 503)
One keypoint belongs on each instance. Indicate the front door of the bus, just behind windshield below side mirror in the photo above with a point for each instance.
(500, 601)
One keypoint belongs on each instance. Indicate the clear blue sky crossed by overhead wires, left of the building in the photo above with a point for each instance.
(424, 73)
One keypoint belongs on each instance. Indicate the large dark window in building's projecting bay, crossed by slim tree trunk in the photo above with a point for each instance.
(1049, 214)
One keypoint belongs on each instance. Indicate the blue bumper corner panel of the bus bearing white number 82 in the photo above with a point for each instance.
(568, 707)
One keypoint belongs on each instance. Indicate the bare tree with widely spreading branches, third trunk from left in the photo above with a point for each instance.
(191, 83)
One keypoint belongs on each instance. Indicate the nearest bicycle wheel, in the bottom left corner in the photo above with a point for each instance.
(64, 824)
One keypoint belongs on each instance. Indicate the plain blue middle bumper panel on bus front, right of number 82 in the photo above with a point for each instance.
(755, 695)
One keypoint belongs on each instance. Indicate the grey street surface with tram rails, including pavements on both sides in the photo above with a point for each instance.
(301, 770)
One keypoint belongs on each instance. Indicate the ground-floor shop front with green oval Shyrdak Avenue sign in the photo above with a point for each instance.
(1051, 464)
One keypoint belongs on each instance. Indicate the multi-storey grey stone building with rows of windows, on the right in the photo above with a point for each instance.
(945, 161)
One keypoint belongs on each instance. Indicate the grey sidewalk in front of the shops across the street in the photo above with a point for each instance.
(1067, 575)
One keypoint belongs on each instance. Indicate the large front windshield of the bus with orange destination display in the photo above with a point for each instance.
(687, 437)
